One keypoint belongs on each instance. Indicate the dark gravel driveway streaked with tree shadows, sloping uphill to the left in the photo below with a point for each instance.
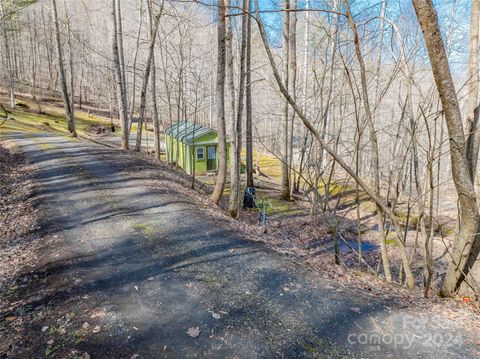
(142, 264)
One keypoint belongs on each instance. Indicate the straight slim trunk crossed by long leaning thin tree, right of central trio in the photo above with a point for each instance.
(284, 138)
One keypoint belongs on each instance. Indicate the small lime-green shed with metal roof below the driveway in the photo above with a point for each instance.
(196, 145)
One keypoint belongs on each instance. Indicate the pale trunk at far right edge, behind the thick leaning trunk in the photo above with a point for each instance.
(473, 133)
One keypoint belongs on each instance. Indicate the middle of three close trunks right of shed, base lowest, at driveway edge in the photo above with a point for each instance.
(235, 187)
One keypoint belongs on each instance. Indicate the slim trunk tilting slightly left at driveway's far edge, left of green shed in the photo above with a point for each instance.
(121, 96)
